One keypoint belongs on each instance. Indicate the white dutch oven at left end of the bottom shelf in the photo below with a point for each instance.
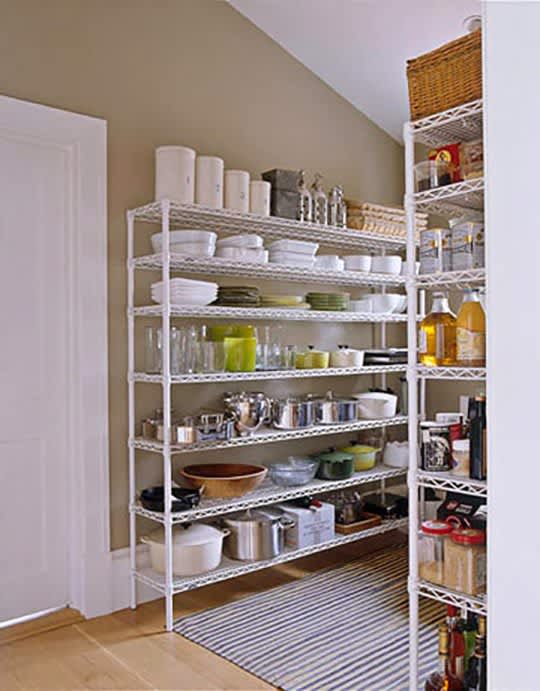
(196, 549)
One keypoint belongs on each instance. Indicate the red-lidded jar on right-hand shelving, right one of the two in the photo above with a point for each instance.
(465, 561)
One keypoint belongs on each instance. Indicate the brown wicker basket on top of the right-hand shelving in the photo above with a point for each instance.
(446, 77)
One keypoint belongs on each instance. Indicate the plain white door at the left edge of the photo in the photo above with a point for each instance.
(38, 199)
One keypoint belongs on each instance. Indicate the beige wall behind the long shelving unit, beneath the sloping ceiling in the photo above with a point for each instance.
(191, 72)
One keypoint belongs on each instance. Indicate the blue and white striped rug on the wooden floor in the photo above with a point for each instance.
(343, 629)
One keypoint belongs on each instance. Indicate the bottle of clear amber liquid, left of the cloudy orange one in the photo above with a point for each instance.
(437, 338)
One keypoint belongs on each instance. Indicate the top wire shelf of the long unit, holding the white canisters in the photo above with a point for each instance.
(230, 222)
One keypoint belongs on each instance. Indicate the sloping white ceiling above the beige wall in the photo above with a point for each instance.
(359, 47)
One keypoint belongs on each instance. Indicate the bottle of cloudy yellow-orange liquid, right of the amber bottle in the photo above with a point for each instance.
(471, 331)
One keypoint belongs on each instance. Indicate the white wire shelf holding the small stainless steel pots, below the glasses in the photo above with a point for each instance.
(269, 436)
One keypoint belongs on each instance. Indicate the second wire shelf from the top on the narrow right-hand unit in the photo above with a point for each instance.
(460, 199)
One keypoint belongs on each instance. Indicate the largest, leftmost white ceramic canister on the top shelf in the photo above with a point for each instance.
(175, 174)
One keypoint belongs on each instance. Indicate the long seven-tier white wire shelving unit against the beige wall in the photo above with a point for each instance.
(168, 214)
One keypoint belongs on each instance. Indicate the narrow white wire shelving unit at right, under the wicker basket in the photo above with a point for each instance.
(462, 199)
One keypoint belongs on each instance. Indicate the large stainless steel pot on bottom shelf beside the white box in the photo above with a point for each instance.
(256, 535)
